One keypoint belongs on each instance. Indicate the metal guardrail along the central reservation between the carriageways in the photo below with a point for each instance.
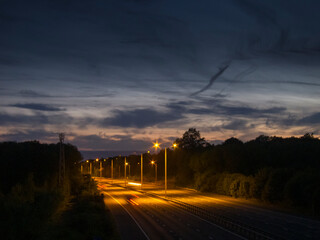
(232, 225)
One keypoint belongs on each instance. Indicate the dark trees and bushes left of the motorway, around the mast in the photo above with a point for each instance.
(34, 206)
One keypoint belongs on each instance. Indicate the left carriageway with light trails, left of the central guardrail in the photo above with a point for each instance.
(139, 216)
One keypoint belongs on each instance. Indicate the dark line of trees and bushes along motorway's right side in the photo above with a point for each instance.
(283, 172)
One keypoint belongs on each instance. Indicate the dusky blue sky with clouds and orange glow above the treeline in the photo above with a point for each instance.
(120, 74)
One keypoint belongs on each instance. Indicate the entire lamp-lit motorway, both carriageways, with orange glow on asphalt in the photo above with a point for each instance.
(151, 216)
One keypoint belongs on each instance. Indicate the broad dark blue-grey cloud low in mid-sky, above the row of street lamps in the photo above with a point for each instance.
(140, 118)
